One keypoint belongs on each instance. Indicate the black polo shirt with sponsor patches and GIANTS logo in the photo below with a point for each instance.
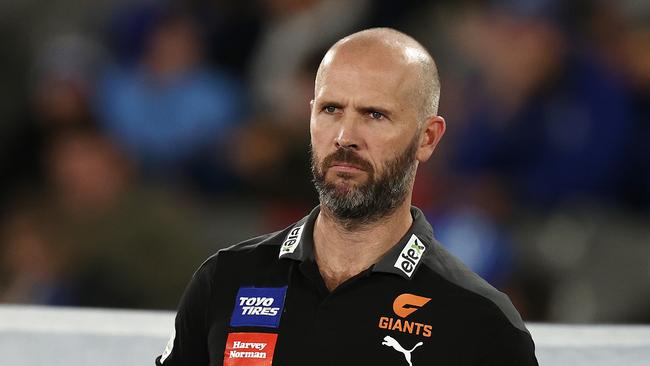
(264, 302)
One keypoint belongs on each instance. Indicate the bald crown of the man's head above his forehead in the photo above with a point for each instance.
(402, 51)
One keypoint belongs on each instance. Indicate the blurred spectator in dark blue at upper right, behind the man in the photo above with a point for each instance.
(550, 118)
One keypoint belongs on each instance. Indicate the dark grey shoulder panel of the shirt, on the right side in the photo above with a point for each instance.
(468, 289)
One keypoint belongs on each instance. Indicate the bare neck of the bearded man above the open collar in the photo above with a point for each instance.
(342, 253)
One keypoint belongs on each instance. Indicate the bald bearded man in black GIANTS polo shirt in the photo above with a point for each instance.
(360, 280)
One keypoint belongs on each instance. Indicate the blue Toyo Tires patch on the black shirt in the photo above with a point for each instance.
(258, 307)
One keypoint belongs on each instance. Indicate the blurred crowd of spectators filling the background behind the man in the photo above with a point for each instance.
(138, 137)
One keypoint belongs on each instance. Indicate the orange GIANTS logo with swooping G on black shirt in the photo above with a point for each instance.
(403, 306)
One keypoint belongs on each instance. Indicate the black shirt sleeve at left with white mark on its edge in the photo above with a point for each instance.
(188, 343)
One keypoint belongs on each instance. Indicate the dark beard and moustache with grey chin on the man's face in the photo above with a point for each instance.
(353, 207)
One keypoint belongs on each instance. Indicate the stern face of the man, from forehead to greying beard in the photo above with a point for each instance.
(364, 135)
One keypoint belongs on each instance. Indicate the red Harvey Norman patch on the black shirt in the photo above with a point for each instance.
(249, 349)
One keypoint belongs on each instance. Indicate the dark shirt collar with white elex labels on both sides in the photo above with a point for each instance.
(403, 259)
